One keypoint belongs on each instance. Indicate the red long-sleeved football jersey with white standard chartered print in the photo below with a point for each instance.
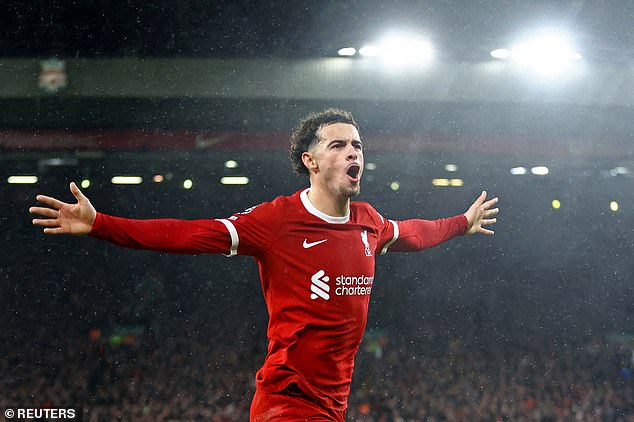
(317, 274)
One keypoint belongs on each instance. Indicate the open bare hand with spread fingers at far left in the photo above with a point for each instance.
(63, 218)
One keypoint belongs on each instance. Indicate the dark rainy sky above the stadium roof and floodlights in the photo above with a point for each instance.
(467, 30)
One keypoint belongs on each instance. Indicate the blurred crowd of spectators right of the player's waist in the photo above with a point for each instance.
(529, 379)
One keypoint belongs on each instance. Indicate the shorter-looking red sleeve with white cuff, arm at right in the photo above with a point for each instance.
(416, 235)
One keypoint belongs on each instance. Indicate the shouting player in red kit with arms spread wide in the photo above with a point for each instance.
(315, 251)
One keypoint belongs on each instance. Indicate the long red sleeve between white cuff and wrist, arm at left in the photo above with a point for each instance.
(164, 235)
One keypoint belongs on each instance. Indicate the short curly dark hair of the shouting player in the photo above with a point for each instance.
(306, 133)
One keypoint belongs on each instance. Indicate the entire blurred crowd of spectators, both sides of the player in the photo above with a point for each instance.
(180, 375)
